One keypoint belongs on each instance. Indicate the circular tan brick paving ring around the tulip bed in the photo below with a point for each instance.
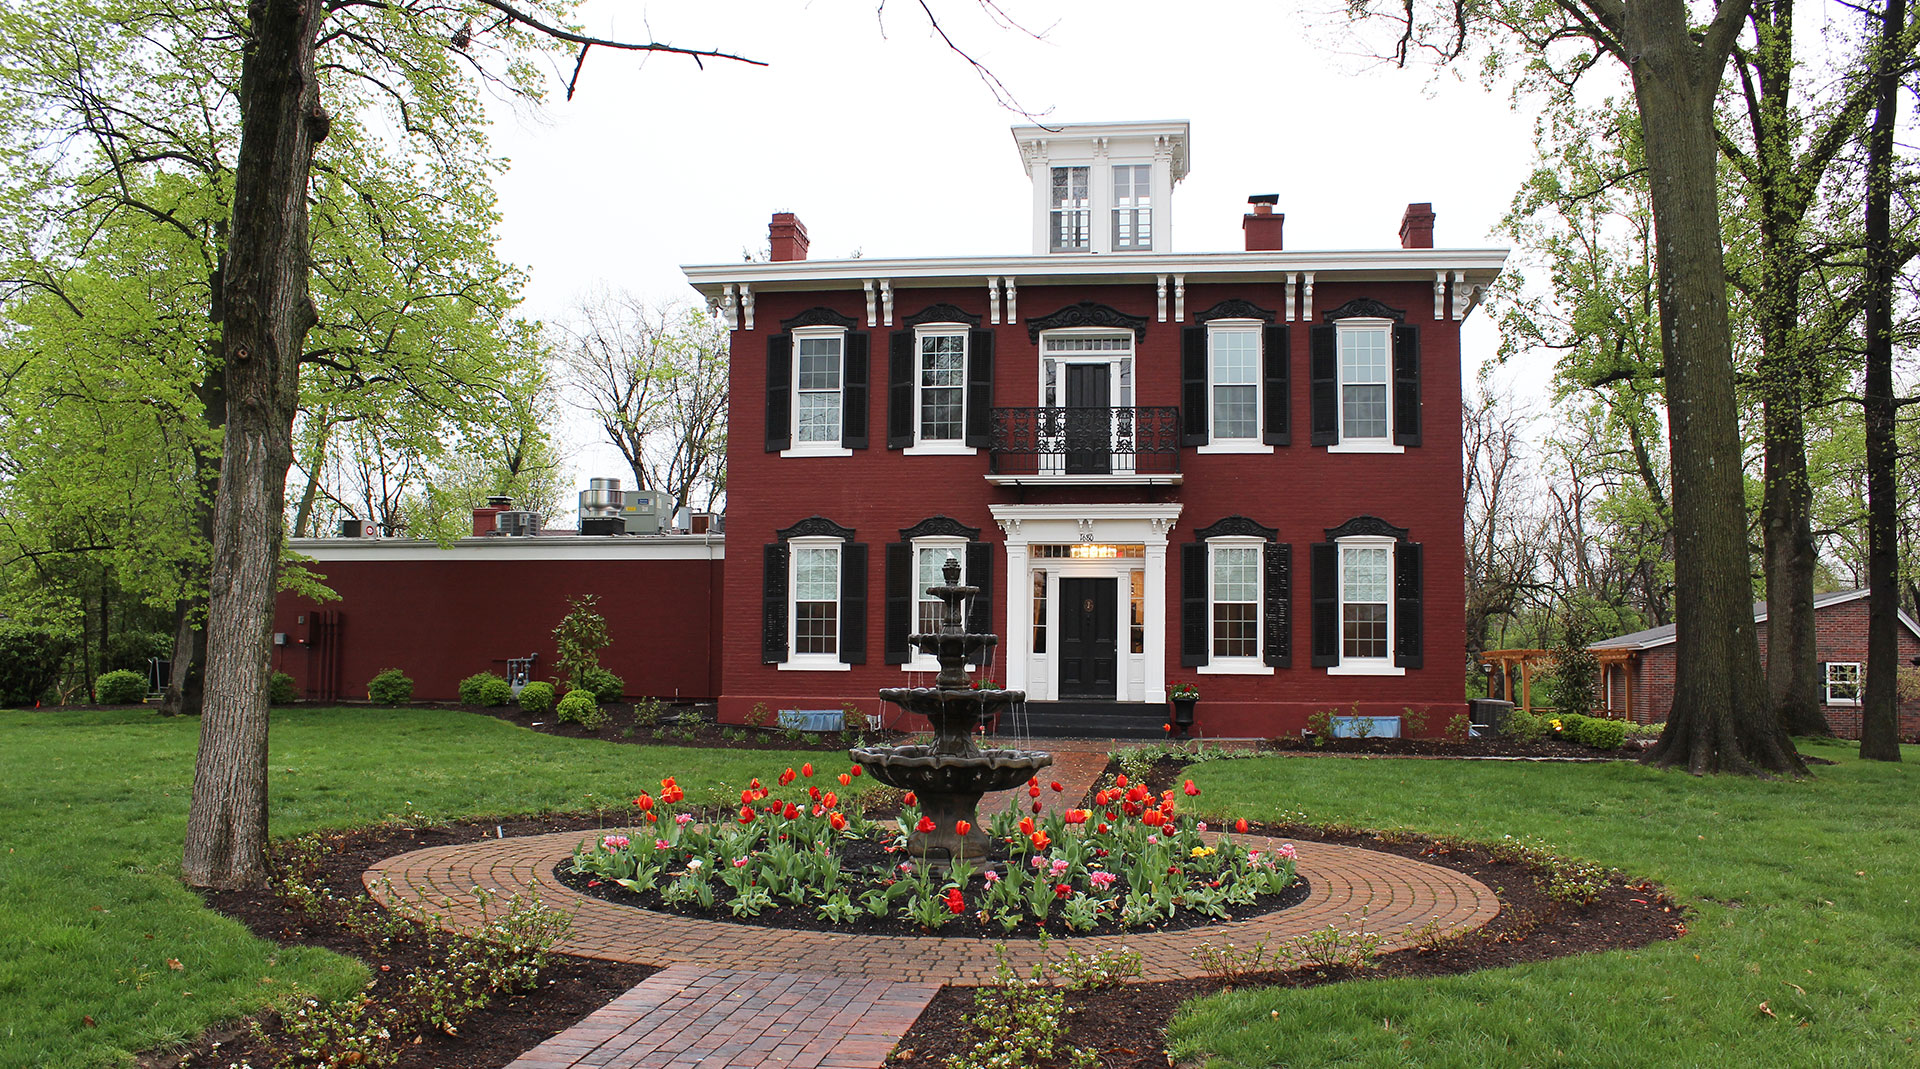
(1395, 893)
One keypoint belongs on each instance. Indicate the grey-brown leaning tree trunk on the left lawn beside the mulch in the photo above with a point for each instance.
(268, 314)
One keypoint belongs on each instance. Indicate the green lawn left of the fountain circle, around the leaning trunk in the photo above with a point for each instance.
(105, 953)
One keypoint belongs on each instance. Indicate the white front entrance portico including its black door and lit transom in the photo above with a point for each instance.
(1113, 640)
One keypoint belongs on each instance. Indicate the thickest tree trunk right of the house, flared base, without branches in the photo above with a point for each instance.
(1719, 717)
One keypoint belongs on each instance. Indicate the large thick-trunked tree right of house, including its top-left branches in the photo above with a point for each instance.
(1675, 57)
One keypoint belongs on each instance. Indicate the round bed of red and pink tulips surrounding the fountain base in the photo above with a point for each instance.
(798, 857)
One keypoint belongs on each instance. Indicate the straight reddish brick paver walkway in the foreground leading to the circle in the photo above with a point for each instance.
(692, 1016)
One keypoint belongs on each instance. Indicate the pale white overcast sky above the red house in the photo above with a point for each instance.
(888, 145)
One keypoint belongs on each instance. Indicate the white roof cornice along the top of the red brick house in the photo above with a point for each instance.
(1416, 266)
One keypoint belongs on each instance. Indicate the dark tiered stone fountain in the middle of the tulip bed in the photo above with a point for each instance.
(953, 772)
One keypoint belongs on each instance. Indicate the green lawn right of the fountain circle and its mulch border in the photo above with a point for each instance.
(1802, 949)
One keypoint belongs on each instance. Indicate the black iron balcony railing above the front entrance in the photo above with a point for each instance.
(1086, 442)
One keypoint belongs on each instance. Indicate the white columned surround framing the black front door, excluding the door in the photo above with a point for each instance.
(1145, 677)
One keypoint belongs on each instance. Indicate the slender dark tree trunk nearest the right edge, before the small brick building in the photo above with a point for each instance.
(1879, 709)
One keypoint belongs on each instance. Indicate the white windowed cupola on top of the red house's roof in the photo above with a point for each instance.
(1103, 187)
